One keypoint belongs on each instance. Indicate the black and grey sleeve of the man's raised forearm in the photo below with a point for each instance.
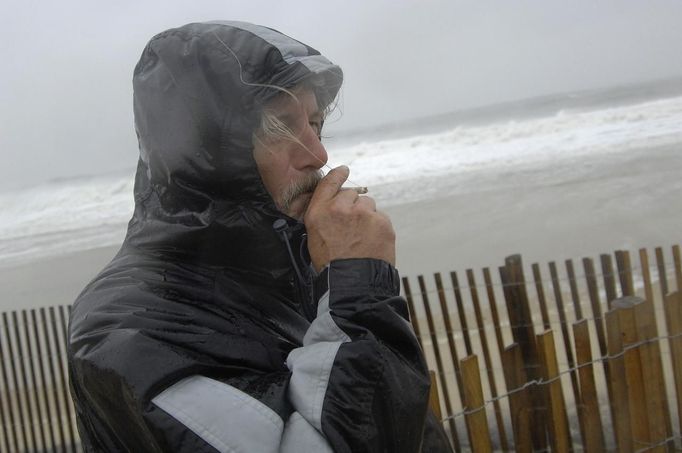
(360, 377)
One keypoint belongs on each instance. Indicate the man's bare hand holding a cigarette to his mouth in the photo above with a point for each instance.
(343, 224)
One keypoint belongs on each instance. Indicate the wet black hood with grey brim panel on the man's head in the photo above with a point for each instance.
(198, 92)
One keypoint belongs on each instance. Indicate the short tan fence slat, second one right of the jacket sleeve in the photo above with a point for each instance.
(476, 420)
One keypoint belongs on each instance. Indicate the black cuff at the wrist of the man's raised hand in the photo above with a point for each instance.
(358, 276)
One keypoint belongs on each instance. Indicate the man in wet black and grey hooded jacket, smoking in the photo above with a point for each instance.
(253, 306)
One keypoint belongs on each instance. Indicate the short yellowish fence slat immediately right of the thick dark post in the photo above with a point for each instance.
(558, 422)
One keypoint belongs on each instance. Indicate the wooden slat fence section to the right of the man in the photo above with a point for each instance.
(582, 359)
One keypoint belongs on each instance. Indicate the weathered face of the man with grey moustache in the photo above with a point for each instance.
(290, 166)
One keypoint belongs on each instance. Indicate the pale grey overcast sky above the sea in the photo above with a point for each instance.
(66, 94)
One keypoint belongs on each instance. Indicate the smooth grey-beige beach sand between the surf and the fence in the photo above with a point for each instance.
(545, 211)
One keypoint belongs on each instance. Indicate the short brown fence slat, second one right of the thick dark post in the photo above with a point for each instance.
(588, 407)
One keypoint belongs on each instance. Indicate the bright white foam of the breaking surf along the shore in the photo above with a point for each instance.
(69, 216)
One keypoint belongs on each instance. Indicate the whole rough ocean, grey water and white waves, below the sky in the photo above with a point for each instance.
(419, 160)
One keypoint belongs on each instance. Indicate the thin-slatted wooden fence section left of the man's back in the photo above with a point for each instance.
(36, 412)
